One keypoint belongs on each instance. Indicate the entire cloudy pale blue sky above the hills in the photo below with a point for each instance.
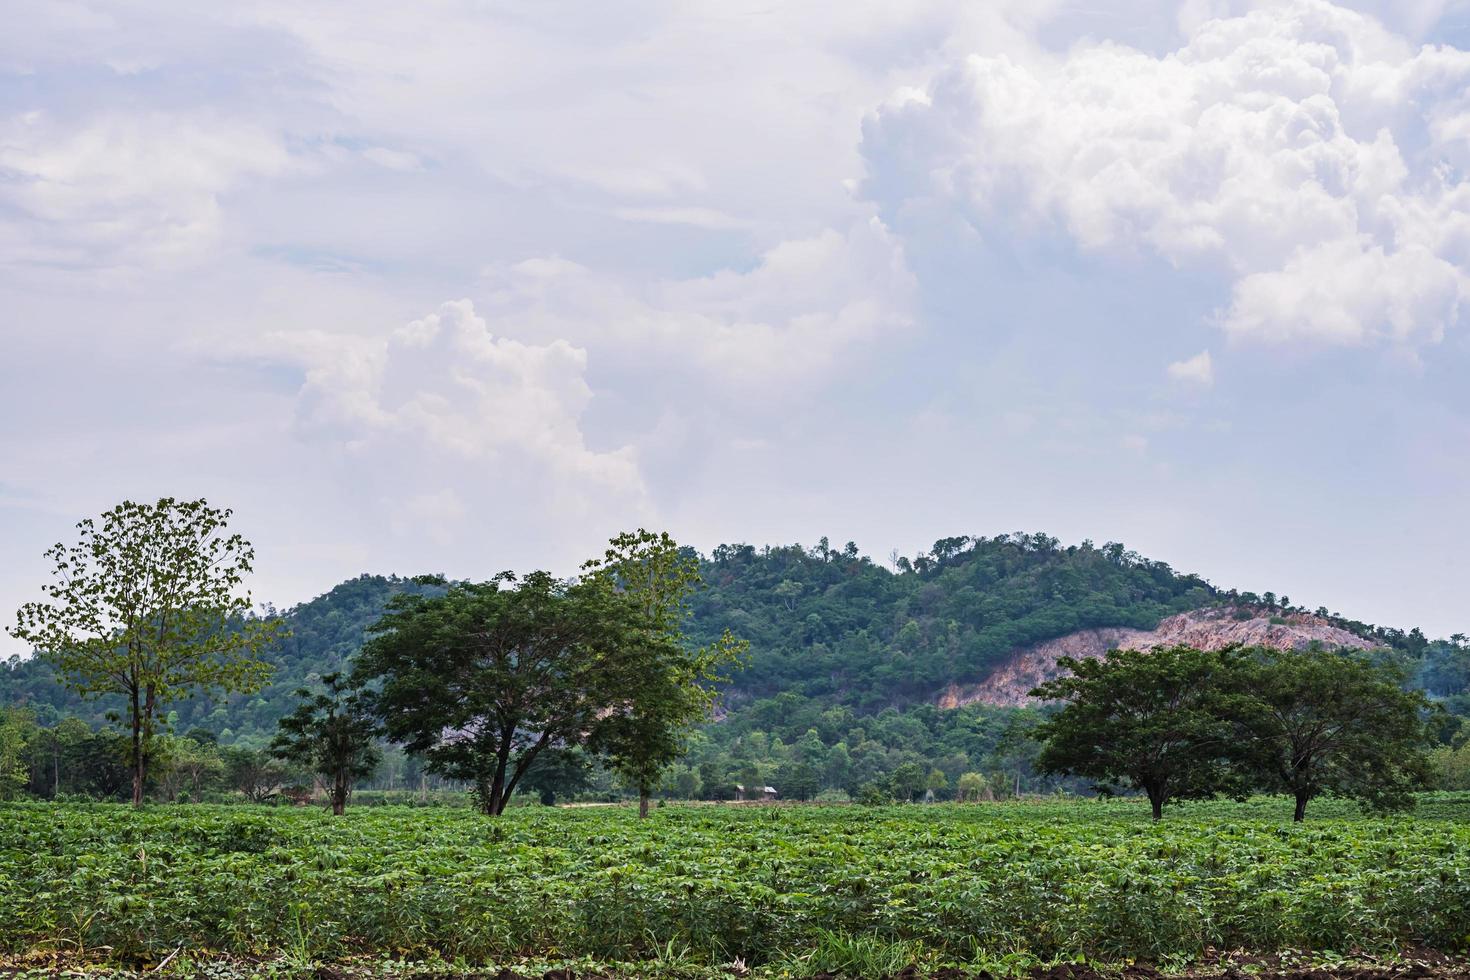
(462, 287)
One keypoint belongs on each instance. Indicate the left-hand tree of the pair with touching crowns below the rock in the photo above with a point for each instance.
(1147, 721)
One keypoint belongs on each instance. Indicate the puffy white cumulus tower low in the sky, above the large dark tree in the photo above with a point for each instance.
(446, 387)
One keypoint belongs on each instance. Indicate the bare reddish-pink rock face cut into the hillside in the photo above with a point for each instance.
(1206, 630)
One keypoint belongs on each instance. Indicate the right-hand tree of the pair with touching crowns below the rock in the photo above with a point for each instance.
(1325, 722)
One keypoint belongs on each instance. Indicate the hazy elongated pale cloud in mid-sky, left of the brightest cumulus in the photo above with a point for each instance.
(803, 309)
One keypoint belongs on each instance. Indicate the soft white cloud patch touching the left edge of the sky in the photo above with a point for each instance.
(124, 190)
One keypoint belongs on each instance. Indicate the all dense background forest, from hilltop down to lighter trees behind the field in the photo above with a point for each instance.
(846, 657)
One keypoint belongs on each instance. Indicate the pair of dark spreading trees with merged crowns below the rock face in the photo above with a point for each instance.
(1184, 724)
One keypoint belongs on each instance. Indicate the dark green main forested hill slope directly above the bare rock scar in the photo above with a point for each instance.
(836, 627)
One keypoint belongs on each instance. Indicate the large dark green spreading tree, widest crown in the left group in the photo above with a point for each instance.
(487, 677)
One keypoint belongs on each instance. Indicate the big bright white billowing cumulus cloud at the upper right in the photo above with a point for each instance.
(1308, 152)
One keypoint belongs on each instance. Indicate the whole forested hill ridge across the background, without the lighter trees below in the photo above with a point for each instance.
(828, 628)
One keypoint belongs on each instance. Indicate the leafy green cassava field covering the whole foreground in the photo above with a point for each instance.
(705, 890)
